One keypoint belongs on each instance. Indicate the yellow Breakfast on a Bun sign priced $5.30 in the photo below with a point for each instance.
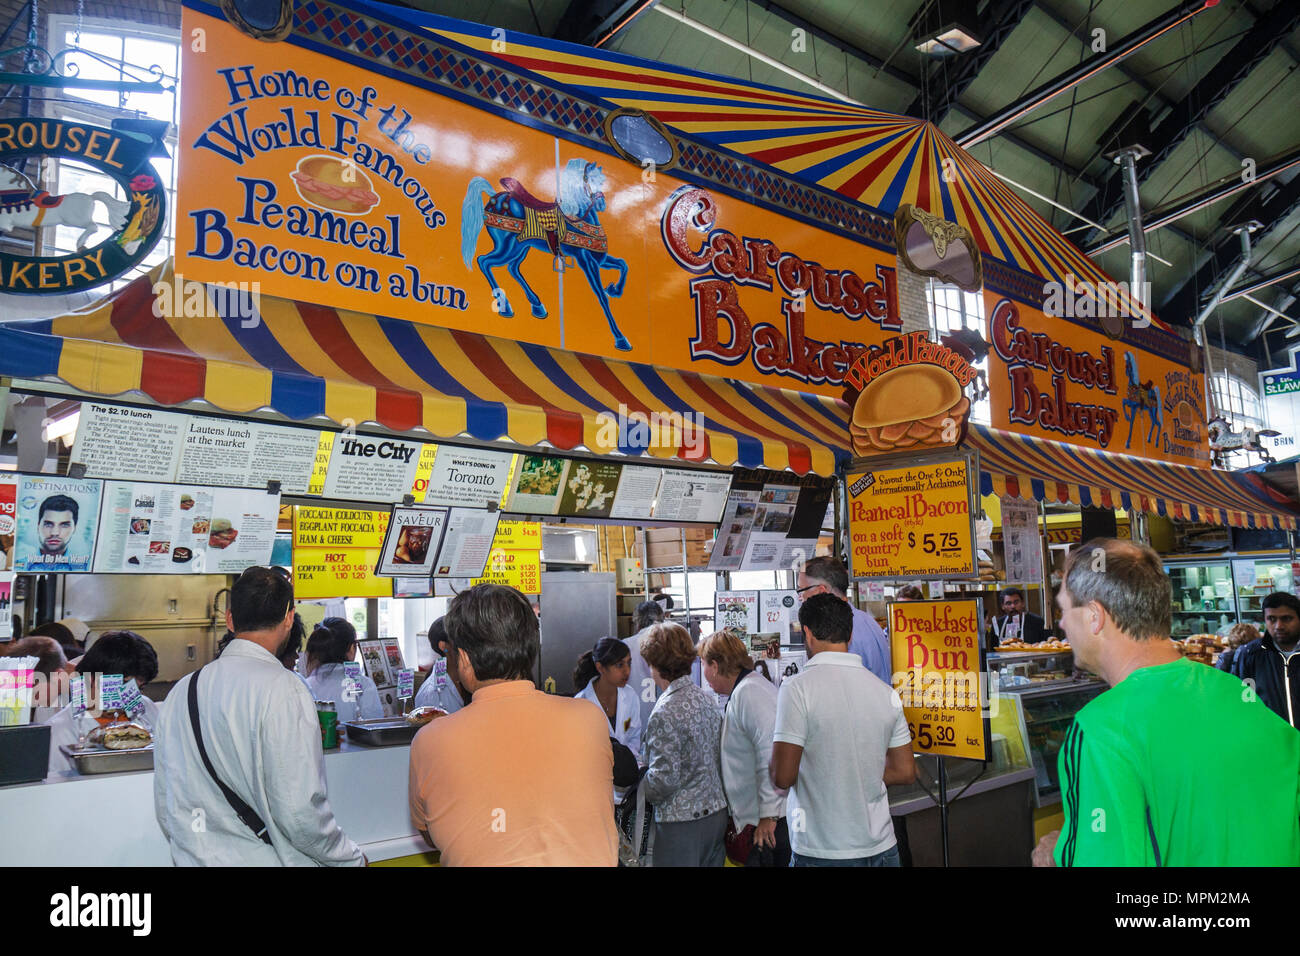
(935, 648)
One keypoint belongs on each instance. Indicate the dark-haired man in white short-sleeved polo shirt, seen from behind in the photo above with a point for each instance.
(840, 738)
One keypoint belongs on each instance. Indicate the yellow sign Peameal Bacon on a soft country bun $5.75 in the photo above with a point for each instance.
(913, 521)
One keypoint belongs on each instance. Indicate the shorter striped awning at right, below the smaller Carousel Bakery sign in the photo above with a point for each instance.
(1026, 468)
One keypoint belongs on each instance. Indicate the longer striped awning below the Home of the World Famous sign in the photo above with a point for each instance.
(305, 361)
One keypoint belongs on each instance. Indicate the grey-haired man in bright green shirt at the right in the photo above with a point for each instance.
(1178, 764)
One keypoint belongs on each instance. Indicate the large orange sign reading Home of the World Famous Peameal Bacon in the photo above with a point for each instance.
(330, 184)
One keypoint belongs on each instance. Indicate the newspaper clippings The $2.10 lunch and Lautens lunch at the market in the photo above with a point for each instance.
(154, 445)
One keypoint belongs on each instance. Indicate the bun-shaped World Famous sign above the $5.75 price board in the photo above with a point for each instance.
(911, 395)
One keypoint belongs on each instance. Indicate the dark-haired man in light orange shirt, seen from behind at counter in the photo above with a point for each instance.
(518, 777)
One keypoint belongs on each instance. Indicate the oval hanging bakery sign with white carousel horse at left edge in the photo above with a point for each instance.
(101, 253)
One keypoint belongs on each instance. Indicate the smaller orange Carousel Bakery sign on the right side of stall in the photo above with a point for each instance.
(1064, 382)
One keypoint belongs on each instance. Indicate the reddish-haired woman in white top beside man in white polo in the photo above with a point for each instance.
(747, 745)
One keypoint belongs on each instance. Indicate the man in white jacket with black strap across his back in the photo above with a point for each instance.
(259, 737)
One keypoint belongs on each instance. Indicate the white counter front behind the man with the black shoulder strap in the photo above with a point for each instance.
(107, 820)
